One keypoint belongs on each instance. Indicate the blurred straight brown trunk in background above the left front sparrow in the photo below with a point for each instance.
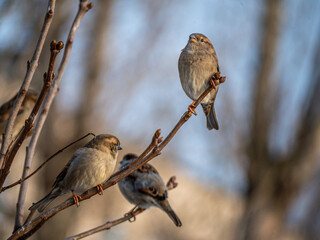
(94, 63)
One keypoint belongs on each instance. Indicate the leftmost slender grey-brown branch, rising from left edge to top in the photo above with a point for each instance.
(31, 67)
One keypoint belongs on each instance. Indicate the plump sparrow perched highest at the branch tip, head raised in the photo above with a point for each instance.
(198, 63)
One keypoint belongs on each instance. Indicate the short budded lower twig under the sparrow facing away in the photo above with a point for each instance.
(126, 217)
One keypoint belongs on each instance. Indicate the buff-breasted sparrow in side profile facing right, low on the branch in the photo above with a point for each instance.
(89, 166)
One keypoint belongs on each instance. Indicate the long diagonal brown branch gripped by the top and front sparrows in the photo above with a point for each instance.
(151, 151)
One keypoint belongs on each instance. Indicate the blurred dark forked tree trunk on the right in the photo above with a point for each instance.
(275, 180)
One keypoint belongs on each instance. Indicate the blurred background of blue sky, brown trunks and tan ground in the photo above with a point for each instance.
(256, 178)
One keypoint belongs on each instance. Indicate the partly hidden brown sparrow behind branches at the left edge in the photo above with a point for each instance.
(24, 112)
